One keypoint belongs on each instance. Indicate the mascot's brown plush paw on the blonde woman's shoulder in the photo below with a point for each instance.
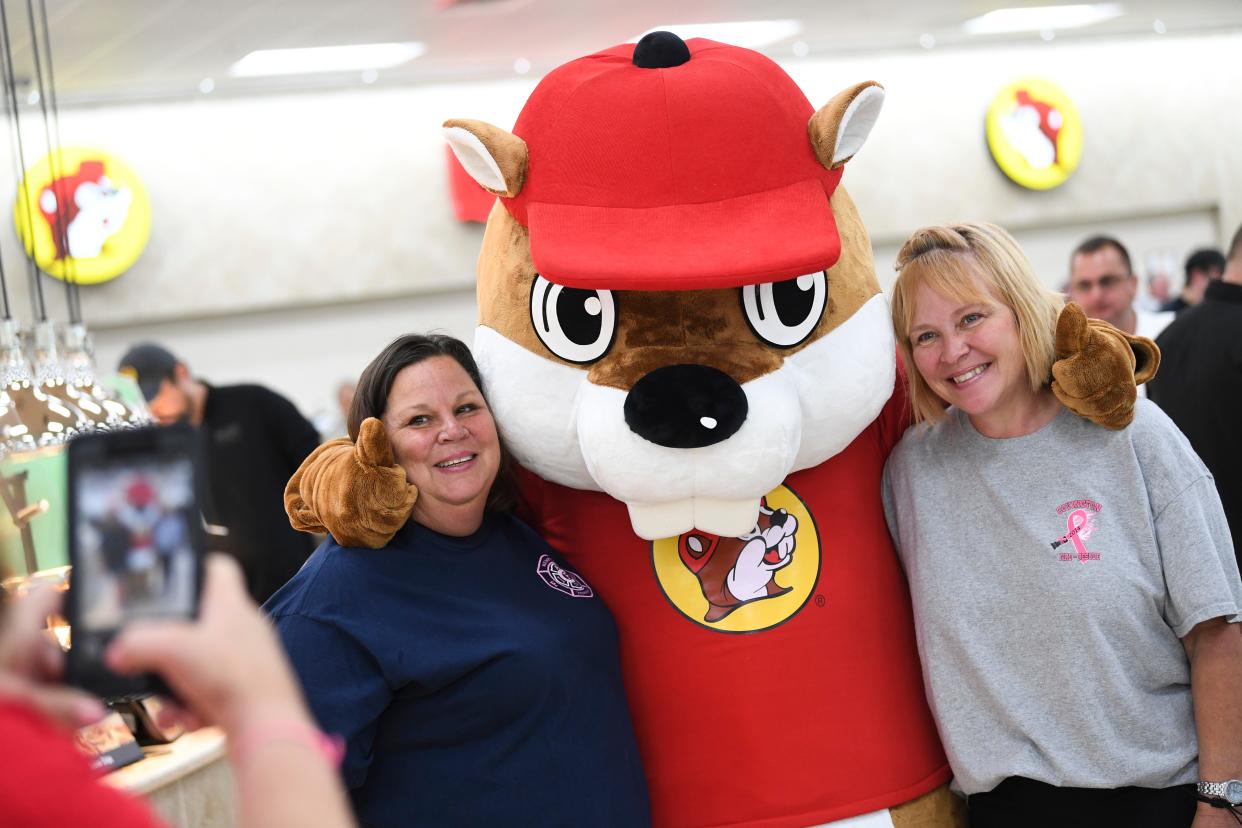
(1100, 368)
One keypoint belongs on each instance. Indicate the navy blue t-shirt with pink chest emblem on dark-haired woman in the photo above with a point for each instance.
(476, 681)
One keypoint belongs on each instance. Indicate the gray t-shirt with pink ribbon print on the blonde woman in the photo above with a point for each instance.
(1053, 577)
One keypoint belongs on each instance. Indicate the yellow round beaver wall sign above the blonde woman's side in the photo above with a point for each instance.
(1035, 135)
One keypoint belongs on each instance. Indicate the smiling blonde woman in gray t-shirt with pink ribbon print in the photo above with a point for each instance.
(1075, 589)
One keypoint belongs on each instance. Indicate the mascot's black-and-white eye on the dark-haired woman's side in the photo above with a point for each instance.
(576, 325)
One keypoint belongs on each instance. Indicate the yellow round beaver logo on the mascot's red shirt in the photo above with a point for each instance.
(745, 584)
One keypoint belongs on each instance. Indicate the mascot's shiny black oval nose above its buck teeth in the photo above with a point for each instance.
(686, 407)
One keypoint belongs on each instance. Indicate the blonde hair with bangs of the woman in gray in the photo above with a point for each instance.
(974, 263)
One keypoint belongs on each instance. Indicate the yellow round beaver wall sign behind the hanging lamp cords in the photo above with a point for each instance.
(85, 218)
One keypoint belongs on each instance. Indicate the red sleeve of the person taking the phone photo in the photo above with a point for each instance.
(49, 783)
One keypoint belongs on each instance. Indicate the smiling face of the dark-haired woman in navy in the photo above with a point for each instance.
(445, 439)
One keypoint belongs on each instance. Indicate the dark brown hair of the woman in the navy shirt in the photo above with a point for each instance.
(376, 384)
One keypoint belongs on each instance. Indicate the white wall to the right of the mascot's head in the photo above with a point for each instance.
(1162, 164)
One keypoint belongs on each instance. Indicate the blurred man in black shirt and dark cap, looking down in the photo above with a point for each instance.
(253, 443)
